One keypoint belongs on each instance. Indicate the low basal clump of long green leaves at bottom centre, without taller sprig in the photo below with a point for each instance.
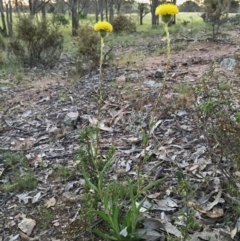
(122, 222)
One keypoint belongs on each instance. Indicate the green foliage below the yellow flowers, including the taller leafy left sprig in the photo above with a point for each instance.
(121, 221)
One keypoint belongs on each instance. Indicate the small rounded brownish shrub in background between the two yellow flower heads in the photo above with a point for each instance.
(122, 23)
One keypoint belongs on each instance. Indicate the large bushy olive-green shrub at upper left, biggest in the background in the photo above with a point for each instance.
(36, 42)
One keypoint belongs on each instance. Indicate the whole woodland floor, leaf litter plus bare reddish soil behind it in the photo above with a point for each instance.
(32, 121)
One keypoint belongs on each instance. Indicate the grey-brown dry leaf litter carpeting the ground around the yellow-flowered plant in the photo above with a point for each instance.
(41, 122)
